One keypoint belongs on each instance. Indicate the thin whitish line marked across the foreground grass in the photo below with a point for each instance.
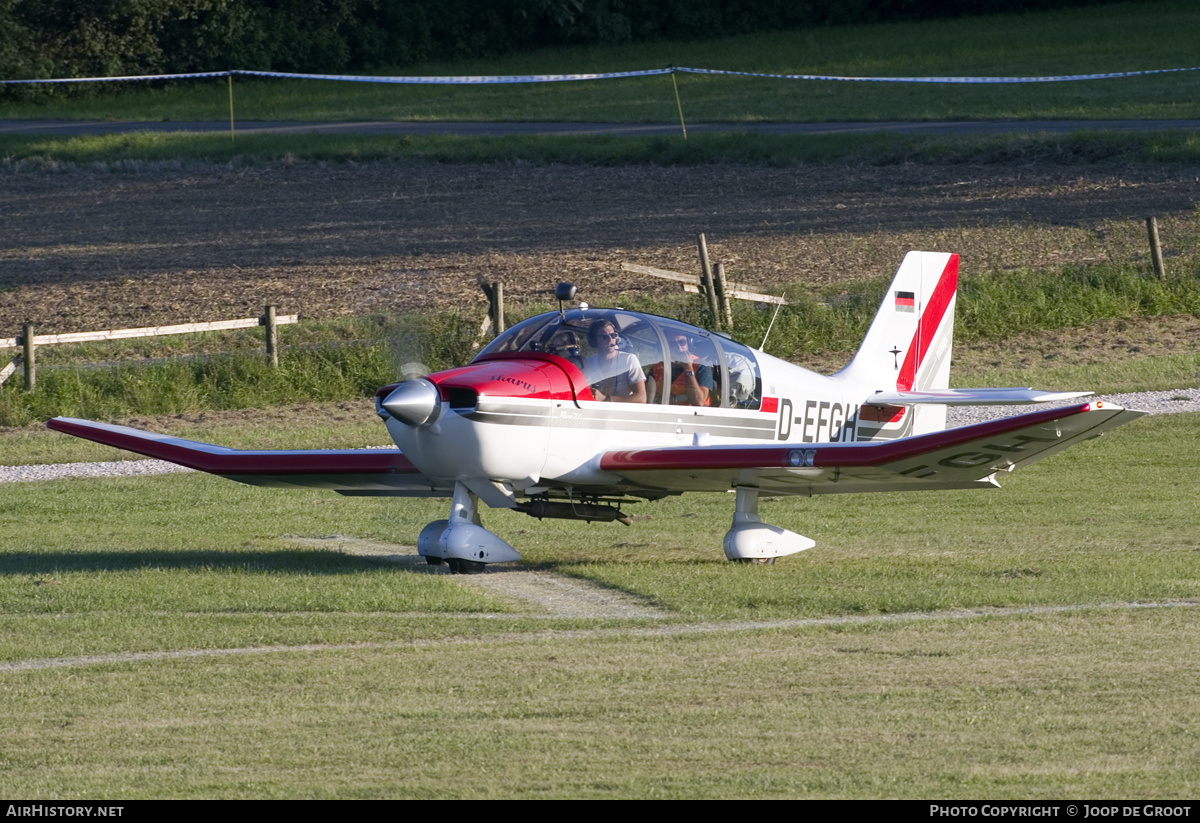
(590, 634)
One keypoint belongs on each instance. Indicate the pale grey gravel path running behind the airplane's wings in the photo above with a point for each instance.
(1156, 403)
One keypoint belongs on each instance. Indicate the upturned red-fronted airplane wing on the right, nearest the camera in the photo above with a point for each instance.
(967, 458)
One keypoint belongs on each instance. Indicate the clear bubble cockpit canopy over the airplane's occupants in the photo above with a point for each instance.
(727, 371)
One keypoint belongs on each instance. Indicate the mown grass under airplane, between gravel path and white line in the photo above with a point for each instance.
(194, 549)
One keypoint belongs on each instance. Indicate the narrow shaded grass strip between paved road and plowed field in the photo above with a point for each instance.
(133, 152)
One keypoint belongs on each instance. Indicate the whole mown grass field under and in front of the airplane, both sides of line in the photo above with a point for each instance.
(379, 682)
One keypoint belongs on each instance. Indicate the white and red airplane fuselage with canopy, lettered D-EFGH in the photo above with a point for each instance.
(526, 412)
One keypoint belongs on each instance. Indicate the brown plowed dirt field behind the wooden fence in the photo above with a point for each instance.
(88, 249)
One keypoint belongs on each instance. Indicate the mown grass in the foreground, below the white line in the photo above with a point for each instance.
(1051, 707)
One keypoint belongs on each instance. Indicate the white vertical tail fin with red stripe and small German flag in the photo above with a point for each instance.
(908, 347)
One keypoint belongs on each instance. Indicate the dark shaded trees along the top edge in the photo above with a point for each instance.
(45, 39)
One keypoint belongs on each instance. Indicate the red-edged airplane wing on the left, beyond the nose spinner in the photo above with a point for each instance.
(385, 472)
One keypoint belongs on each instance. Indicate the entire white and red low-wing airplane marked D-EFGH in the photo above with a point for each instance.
(573, 413)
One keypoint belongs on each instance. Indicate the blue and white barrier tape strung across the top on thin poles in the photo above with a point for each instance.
(608, 76)
